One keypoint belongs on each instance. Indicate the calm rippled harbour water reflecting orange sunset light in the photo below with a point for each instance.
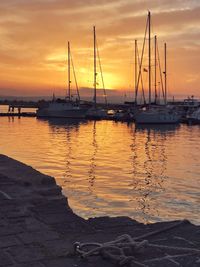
(107, 168)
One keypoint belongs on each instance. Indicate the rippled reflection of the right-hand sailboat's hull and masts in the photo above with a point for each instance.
(149, 165)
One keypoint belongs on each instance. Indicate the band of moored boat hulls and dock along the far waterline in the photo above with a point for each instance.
(180, 111)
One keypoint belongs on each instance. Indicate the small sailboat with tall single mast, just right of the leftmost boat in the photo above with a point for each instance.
(96, 112)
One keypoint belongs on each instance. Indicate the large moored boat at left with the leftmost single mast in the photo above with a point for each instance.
(64, 108)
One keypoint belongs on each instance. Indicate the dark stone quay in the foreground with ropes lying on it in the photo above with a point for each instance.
(38, 228)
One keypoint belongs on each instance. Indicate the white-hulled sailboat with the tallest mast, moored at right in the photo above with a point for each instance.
(155, 114)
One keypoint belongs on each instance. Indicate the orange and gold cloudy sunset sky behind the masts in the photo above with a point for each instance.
(34, 36)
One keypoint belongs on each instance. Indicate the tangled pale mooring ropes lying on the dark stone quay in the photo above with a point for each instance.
(123, 249)
